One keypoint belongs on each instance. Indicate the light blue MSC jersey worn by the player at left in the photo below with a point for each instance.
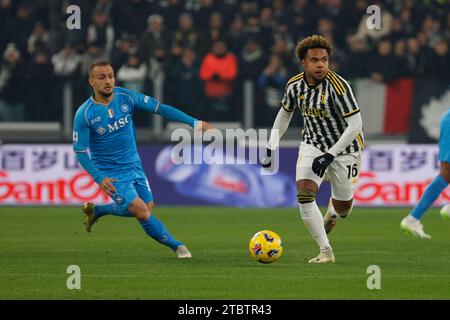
(108, 130)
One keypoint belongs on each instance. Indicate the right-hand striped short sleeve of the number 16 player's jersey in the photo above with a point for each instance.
(343, 96)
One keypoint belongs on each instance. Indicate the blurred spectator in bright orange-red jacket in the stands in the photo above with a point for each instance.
(218, 71)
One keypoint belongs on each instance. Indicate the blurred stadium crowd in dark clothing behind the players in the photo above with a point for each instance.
(201, 51)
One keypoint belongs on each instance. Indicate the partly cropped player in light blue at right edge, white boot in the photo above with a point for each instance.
(411, 223)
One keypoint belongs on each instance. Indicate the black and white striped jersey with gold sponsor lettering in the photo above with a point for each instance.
(324, 108)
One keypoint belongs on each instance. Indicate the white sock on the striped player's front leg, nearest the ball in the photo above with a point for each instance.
(313, 220)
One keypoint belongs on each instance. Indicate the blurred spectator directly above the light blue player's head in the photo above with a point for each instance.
(101, 33)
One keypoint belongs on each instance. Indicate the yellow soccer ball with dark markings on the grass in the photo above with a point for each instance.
(266, 246)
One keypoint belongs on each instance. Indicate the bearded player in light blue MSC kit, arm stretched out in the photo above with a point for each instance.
(104, 125)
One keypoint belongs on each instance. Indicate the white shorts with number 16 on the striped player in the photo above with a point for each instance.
(343, 172)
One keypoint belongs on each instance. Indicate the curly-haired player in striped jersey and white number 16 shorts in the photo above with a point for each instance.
(332, 140)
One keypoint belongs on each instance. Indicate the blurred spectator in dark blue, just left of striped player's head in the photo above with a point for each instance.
(272, 82)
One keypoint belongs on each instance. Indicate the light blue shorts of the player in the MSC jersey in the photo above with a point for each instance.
(129, 186)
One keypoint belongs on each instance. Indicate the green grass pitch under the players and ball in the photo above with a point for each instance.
(118, 261)
